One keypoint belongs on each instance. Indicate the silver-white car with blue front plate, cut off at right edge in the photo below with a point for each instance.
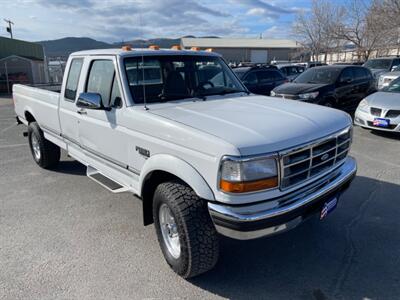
(381, 110)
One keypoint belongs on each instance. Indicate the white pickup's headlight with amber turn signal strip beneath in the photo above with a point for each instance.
(248, 175)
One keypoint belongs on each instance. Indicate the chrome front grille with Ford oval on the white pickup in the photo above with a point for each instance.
(305, 162)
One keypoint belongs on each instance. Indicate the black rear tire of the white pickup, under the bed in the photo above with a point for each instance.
(49, 153)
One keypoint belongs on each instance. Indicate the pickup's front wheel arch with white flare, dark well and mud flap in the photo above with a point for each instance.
(162, 168)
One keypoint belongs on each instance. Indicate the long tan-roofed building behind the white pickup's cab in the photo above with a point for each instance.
(245, 49)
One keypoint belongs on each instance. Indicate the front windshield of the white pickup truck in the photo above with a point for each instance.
(174, 77)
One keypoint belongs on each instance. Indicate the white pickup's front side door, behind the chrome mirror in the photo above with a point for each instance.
(100, 131)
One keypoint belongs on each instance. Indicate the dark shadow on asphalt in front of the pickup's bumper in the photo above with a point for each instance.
(353, 254)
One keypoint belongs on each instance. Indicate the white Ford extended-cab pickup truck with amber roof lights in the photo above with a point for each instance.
(180, 131)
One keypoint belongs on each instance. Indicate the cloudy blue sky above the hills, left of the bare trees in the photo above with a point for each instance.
(116, 20)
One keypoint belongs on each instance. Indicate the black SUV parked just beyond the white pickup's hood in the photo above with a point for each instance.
(341, 87)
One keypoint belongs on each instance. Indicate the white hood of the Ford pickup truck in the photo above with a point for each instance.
(257, 124)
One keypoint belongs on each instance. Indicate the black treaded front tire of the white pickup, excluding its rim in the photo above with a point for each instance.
(199, 241)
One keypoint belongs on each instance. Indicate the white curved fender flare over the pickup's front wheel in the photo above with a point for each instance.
(178, 168)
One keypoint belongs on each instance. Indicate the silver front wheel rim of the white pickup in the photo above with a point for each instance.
(169, 231)
